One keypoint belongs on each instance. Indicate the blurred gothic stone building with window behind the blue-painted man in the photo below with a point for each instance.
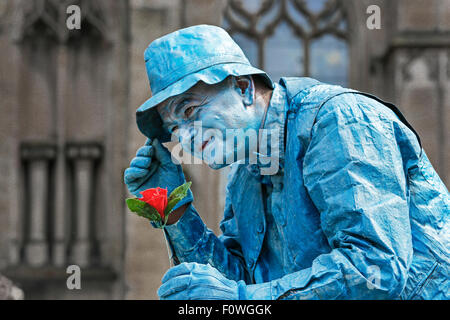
(67, 116)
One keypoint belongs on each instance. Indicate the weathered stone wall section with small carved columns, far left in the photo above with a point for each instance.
(65, 96)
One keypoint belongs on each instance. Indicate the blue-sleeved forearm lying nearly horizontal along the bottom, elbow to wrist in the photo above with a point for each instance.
(340, 274)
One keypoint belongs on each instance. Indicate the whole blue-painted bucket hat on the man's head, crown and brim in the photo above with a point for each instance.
(177, 61)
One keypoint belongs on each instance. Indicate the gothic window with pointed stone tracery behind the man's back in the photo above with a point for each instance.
(292, 37)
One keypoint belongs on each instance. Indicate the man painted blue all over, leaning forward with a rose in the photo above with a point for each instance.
(354, 210)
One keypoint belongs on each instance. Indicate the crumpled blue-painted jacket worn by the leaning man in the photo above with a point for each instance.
(356, 210)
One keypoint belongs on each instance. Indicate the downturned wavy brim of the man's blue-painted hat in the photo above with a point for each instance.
(148, 120)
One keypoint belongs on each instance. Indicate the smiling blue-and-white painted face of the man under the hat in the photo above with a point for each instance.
(208, 117)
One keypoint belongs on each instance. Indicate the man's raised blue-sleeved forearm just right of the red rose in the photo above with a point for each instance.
(191, 241)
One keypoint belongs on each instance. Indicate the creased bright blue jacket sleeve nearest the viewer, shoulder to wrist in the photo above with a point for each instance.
(354, 174)
